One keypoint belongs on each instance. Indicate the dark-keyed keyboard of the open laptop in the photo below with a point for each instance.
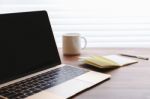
(40, 82)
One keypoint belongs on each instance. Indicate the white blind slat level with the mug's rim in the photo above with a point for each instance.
(106, 33)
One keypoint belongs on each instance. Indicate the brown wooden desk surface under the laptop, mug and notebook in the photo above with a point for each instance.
(129, 82)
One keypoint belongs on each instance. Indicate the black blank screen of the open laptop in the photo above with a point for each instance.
(27, 44)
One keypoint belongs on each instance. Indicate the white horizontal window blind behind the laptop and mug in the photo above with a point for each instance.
(105, 23)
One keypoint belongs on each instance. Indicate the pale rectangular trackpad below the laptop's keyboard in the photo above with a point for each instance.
(69, 88)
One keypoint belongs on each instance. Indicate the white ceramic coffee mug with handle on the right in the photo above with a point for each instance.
(72, 43)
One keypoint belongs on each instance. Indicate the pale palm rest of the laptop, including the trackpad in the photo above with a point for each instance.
(72, 87)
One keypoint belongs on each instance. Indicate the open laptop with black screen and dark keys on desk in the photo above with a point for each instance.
(30, 66)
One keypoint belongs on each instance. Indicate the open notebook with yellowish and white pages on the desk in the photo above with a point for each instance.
(108, 61)
